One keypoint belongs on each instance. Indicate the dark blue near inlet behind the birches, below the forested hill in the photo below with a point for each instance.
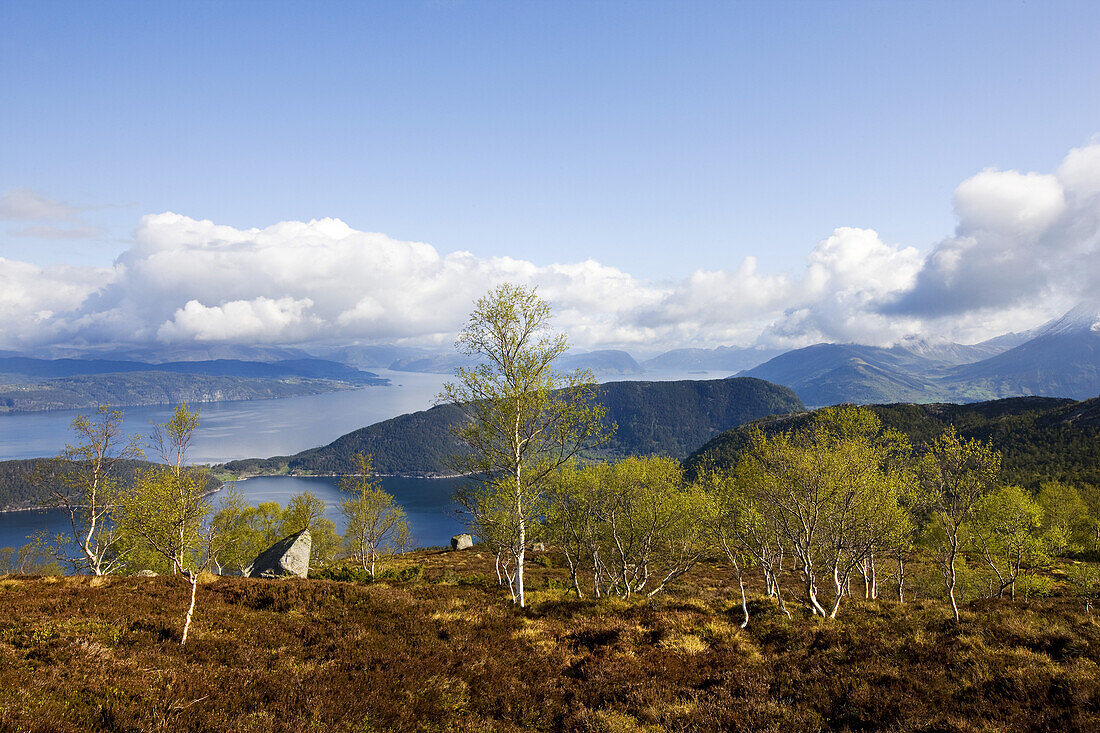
(427, 504)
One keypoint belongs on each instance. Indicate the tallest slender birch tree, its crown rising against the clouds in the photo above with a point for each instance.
(524, 420)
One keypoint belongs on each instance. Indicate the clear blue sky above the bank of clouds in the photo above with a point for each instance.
(658, 139)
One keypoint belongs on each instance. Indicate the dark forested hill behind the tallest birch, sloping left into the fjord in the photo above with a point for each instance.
(666, 419)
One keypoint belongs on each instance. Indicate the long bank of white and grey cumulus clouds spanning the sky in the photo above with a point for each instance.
(1027, 245)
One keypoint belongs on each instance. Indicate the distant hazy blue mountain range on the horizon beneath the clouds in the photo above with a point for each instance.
(1060, 359)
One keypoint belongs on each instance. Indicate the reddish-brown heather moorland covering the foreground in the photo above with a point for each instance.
(449, 652)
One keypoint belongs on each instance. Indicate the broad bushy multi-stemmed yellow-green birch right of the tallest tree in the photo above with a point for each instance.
(831, 494)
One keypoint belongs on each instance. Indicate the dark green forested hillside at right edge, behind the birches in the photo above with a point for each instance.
(1040, 439)
